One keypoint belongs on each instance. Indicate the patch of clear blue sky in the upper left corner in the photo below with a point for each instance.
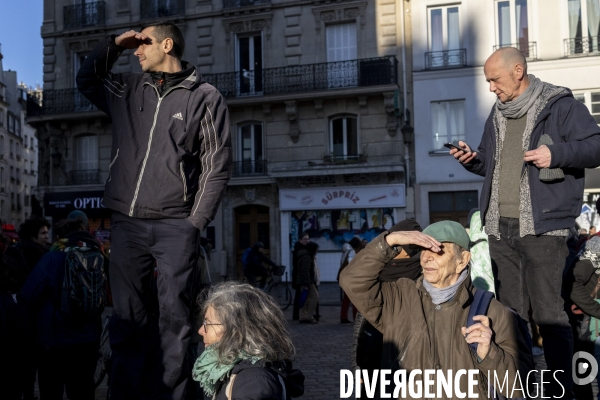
(22, 47)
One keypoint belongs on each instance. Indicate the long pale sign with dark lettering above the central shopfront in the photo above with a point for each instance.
(377, 196)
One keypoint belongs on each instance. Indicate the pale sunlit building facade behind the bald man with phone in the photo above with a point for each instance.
(451, 42)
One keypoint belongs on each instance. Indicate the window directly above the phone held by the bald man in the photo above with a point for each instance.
(447, 122)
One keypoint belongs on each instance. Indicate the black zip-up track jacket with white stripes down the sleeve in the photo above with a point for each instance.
(171, 154)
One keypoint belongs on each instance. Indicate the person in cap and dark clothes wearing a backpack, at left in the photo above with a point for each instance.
(67, 348)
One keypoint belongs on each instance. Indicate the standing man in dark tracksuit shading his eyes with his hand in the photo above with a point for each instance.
(170, 164)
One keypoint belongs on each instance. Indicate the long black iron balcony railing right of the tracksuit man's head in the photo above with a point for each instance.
(305, 78)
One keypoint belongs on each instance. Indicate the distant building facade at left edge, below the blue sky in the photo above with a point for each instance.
(18, 153)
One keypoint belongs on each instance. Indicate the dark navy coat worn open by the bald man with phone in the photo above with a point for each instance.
(576, 137)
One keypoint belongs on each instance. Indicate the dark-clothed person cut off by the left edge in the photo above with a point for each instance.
(16, 333)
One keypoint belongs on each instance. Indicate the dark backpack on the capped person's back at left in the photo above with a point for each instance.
(83, 292)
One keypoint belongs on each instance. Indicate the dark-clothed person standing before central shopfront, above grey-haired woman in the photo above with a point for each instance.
(307, 282)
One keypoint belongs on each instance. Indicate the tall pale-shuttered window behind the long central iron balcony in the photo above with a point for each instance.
(341, 46)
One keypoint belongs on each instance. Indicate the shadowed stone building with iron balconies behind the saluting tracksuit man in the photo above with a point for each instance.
(316, 98)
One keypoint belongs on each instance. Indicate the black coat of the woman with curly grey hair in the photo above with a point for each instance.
(261, 382)
